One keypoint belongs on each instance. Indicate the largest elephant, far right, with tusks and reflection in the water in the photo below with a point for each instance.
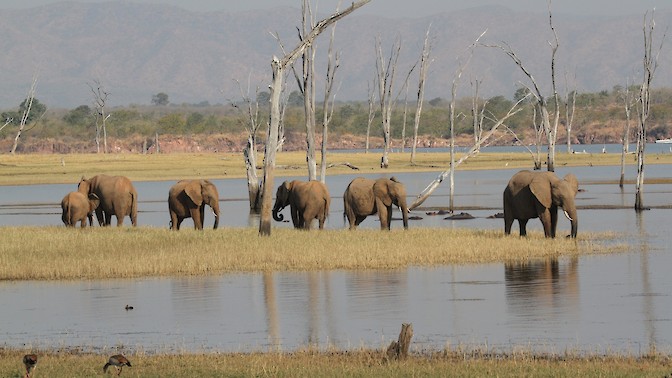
(538, 195)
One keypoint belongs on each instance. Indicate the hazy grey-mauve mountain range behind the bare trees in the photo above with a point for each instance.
(138, 50)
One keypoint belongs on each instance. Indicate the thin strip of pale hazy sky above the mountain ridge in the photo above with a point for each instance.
(399, 8)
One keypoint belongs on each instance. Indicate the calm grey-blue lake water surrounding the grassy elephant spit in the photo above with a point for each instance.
(593, 303)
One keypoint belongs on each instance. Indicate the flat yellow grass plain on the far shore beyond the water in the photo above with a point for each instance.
(52, 168)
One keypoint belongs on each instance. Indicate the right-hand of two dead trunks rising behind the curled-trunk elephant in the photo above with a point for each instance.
(333, 62)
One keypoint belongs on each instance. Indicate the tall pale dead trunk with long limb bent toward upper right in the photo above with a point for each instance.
(279, 65)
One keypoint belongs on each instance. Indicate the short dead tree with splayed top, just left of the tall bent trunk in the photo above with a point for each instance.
(252, 125)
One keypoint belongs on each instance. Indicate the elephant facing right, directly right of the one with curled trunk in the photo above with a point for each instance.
(364, 197)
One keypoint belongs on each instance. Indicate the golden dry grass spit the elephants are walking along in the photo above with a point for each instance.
(55, 253)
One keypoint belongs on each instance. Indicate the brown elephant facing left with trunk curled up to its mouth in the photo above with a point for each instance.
(307, 201)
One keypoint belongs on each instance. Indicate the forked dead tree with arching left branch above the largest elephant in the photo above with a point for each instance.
(550, 128)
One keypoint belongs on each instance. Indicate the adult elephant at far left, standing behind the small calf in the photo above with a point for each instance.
(117, 197)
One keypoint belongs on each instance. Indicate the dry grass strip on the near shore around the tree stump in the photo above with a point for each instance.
(357, 363)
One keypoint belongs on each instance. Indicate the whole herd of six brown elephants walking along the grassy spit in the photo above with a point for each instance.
(529, 194)
